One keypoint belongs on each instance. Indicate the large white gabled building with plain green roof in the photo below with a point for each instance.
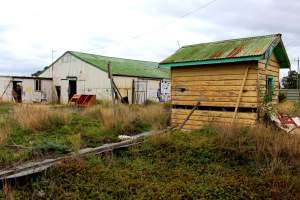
(82, 73)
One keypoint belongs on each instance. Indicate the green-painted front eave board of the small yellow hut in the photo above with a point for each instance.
(211, 62)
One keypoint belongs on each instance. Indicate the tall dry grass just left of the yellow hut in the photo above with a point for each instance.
(130, 119)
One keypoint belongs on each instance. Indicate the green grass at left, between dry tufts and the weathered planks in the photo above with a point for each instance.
(53, 141)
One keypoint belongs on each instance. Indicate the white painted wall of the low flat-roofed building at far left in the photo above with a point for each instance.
(29, 94)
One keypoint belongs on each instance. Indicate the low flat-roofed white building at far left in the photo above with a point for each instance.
(25, 89)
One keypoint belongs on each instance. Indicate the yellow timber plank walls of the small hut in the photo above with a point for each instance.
(218, 86)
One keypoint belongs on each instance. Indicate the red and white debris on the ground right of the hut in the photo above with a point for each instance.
(288, 124)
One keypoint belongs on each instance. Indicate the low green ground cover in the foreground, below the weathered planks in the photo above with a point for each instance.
(194, 165)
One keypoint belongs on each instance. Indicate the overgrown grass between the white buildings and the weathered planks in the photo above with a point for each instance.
(37, 131)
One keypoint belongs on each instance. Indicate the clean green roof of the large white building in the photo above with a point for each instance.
(124, 67)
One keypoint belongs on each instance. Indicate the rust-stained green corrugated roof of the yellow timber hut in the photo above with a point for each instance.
(252, 48)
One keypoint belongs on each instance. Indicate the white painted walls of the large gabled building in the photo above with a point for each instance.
(91, 80)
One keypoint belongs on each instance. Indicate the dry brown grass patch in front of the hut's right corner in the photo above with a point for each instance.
(278, 148)
